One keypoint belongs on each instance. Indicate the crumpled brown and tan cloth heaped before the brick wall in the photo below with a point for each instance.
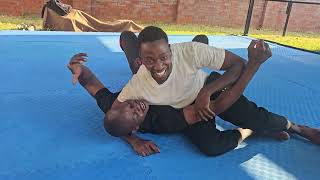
(80, 21)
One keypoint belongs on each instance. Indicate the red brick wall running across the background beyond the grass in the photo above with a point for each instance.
(227, 13)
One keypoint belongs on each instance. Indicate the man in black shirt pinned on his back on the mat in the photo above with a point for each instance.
(165, 119)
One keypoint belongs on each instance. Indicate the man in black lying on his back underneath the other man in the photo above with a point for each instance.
(167, 119)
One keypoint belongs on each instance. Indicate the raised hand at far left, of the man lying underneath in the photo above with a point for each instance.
(75, 66)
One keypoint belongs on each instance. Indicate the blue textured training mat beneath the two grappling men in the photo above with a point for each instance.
(50, 129)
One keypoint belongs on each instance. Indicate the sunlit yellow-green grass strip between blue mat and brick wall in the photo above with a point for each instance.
(309, 41)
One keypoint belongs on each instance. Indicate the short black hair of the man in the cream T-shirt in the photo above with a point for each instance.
(150, 34)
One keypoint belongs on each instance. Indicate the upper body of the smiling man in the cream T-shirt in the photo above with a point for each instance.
(172, 75)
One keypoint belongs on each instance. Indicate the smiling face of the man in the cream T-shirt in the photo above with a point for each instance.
(156, 56)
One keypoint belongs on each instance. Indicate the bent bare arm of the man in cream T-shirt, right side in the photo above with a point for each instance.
(233, 66)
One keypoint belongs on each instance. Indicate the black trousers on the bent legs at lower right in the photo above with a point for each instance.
(243, 113)
